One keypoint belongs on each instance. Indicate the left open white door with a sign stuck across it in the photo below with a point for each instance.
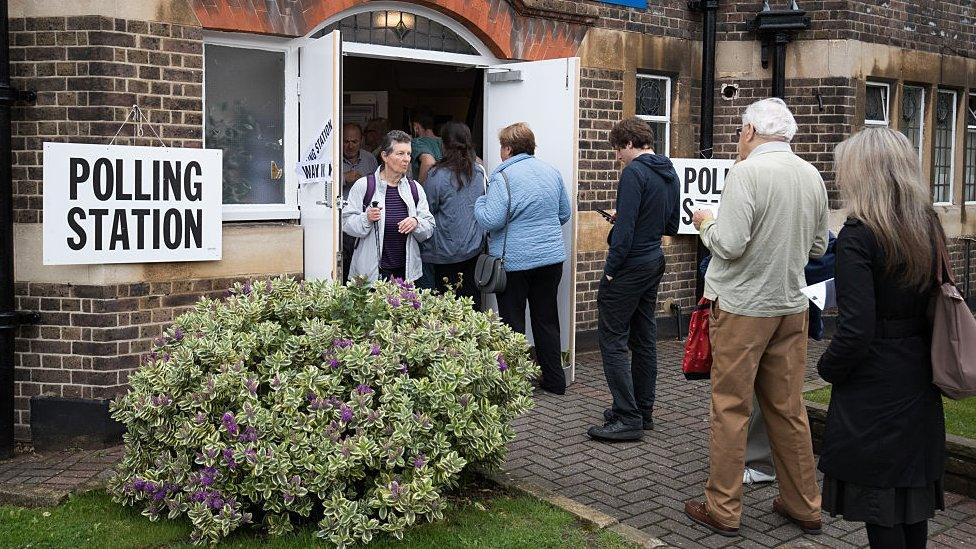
(319, 101)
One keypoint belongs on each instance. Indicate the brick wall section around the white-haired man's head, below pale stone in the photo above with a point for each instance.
(823, 121)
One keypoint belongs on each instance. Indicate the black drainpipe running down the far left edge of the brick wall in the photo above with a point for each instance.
(9, 319)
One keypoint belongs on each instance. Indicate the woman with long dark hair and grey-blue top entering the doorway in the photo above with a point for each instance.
(453, 185)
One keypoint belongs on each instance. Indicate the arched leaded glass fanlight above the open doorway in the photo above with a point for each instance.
(399, 29)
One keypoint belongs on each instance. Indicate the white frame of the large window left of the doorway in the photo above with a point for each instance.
(289, 209)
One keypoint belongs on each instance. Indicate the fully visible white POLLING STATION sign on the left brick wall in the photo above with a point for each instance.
(121, 204)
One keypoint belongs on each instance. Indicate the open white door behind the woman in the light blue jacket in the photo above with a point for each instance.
(545, 95)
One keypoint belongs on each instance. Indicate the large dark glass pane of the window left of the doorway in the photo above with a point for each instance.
(245, 109)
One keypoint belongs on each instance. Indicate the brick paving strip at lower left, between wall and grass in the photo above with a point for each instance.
(44, 479)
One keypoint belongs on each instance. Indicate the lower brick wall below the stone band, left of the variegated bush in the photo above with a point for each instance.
(90, 338)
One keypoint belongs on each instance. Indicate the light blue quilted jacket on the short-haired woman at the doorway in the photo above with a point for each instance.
(540, 206)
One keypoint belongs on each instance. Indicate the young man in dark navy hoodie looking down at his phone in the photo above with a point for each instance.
(647, 208)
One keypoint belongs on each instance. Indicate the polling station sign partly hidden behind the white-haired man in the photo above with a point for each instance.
(702, 182)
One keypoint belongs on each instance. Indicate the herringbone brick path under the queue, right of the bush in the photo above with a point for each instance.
(644, 484)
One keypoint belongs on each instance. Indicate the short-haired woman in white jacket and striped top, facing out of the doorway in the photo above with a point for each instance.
(389, 216)
